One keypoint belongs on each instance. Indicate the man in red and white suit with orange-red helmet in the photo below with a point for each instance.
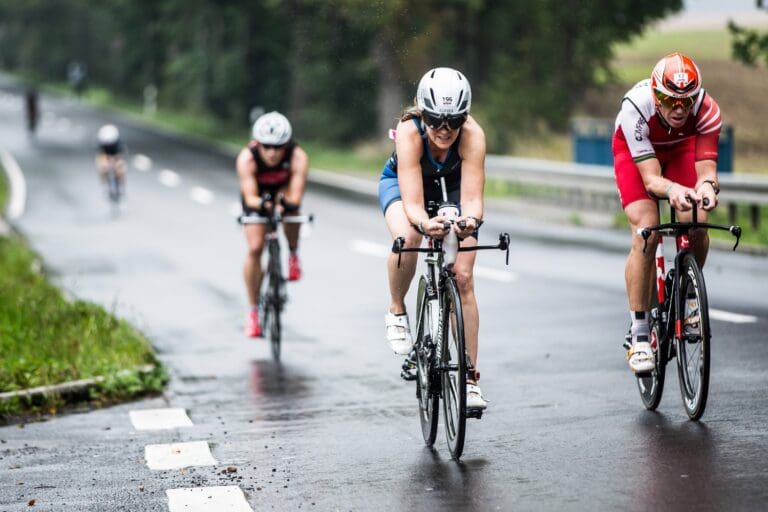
(664, 146)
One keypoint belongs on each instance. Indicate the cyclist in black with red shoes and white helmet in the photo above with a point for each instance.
(272, 162)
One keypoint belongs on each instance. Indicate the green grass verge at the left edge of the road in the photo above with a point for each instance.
(46, 339)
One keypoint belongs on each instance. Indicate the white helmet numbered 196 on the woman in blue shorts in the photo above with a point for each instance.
(444, 92)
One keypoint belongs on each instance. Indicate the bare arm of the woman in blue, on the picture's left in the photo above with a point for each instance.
(409, 150)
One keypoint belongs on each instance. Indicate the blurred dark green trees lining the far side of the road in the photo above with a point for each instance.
(342, 69)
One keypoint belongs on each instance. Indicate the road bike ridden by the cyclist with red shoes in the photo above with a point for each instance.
(273, 291)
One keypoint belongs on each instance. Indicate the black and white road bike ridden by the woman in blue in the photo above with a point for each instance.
(439, 357)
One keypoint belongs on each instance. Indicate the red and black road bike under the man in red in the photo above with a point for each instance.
(679, 320)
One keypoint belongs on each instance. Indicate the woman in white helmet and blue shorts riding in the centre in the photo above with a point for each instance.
(435, 139)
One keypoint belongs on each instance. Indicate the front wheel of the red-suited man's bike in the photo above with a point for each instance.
(693, 342)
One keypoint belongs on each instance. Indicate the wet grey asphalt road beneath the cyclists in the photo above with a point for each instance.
(333, 427)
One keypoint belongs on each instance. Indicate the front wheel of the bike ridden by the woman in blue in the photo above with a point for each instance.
(453, 370)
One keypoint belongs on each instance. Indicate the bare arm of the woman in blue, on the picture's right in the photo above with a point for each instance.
(472, 151)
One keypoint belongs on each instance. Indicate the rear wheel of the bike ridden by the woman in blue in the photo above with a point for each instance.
(428, 397)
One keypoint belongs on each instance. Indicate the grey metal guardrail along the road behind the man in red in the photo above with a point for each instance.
(594, 186)
